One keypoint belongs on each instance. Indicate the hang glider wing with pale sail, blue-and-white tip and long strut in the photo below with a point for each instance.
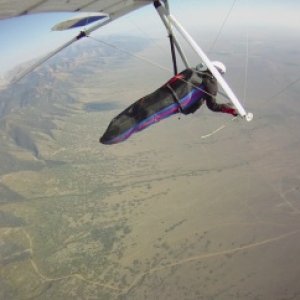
(104, 11)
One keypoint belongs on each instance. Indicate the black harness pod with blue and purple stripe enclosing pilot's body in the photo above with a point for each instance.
(182, 93)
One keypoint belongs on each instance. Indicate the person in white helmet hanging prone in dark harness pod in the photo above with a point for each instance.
(185, 93)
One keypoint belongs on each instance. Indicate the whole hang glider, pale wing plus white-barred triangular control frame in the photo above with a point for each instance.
(106, 11)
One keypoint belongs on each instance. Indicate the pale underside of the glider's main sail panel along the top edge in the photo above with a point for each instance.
(113, 8)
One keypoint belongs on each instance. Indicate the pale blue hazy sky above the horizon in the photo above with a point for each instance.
(26, 38)
